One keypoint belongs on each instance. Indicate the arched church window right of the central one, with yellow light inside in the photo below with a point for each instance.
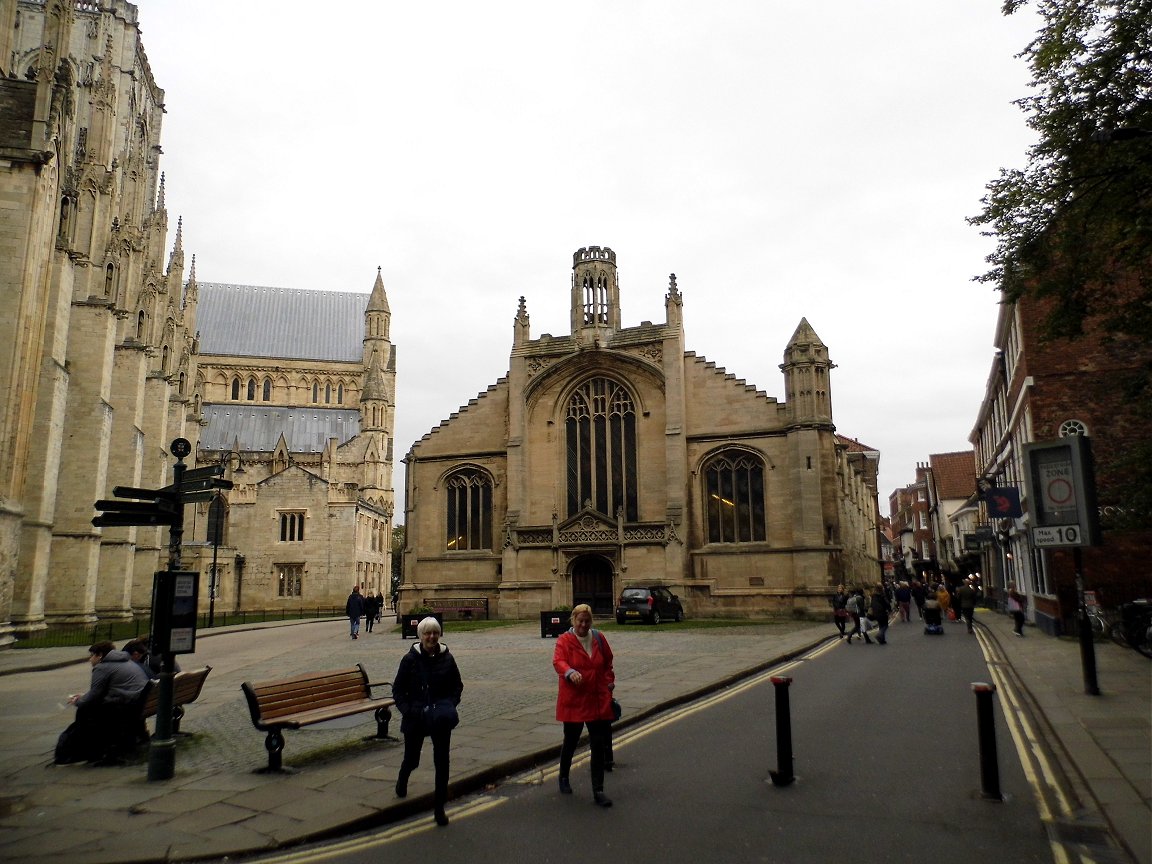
(734, 498)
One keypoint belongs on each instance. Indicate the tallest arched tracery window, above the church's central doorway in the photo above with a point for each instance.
(601, 438)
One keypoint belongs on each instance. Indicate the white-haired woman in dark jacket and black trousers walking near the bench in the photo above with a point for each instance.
(427, 692)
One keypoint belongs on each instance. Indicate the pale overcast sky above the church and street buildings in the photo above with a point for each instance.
(785, 161)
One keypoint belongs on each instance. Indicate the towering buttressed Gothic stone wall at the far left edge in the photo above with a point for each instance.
(96, 335)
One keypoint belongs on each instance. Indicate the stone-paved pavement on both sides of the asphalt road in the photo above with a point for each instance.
(217, 805)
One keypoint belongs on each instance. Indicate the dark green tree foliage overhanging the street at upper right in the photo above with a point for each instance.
(1075, 225)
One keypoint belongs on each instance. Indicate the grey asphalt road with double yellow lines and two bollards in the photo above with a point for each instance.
(886, 760)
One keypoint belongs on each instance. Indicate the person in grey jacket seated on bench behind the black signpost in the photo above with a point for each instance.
(104, 716)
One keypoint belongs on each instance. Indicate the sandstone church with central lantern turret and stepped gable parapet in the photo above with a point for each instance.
(613, 457)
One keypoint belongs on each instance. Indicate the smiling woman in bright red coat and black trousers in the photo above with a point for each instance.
(583, 662)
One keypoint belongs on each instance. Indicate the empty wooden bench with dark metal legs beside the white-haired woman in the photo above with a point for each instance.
(313, 699)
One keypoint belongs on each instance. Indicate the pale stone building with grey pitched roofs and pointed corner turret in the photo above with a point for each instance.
(307, 441)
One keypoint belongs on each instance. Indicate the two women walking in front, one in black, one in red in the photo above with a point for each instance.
(428, 688)
